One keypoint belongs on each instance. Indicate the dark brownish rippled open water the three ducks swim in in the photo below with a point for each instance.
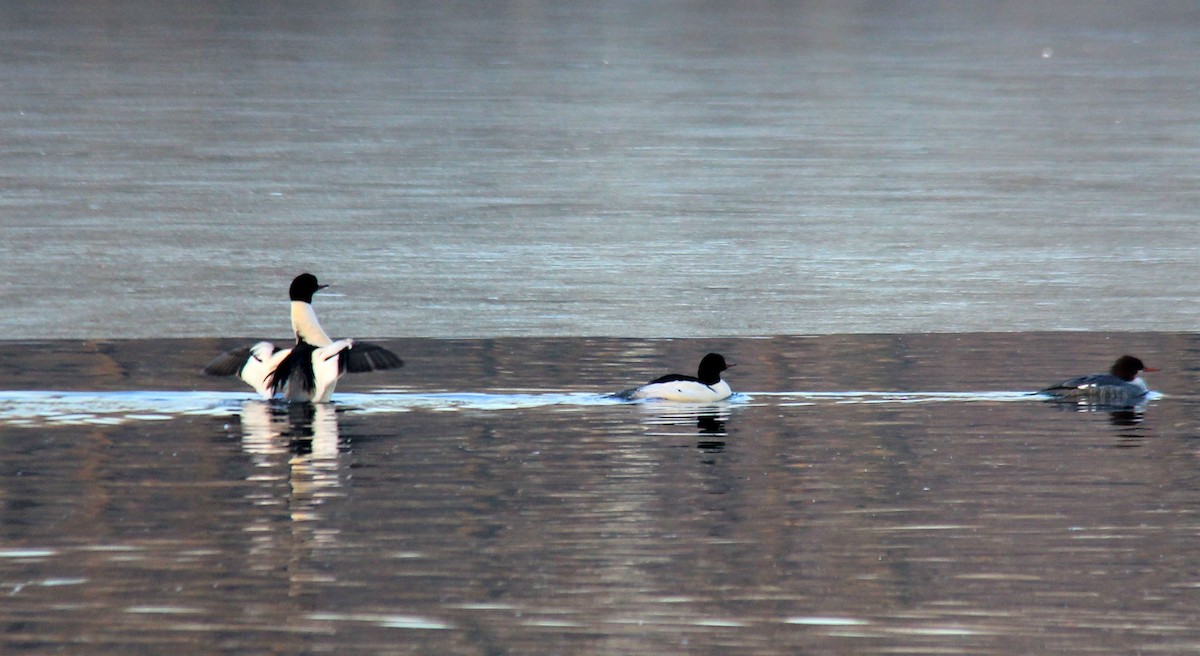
(860, 495)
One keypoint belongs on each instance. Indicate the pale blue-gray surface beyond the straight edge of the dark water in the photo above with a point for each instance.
(623, 168)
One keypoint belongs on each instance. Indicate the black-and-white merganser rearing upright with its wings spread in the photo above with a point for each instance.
(310, 370)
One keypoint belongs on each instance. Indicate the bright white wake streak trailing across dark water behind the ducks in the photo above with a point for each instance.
(43, 408)
